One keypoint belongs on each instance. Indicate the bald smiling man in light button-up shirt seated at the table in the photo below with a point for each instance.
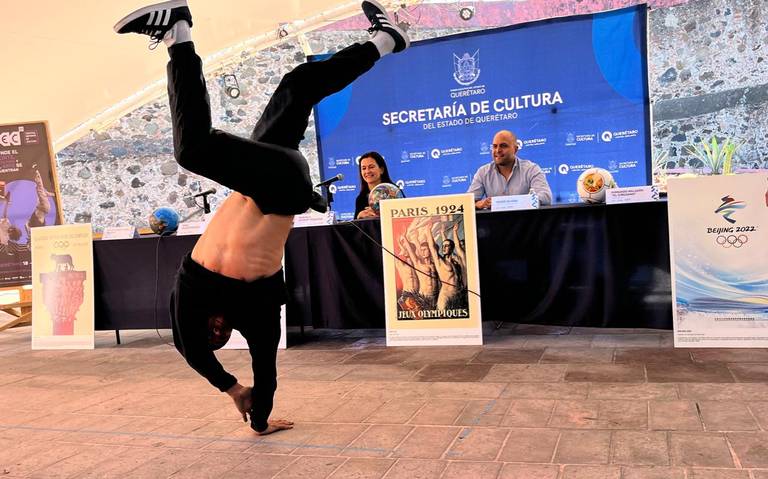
(508, 175)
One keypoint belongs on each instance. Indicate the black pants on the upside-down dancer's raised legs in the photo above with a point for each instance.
(267, 167)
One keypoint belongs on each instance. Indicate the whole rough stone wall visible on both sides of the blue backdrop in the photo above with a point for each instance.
(707, 74)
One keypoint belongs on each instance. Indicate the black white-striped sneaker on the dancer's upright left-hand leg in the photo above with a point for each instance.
(155, 20)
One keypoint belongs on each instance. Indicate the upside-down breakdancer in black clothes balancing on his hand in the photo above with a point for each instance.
(233, 277)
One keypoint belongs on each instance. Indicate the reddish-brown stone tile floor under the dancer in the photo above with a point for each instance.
(534, 402)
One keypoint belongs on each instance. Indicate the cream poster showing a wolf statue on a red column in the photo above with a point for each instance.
(62, 287)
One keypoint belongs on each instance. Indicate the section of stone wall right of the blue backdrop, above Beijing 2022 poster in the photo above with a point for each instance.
(708, 76)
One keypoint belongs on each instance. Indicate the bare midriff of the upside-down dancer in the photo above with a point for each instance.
(241, 242)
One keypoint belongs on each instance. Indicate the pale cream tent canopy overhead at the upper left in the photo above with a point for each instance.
(63, 63)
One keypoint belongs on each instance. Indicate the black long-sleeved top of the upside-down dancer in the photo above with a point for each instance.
(253, 308)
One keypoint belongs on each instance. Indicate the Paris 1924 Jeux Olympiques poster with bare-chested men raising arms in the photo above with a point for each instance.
(431, 288)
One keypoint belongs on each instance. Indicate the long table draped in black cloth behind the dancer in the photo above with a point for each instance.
(594, 265)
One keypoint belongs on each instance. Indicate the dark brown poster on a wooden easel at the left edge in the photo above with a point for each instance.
(29, 196)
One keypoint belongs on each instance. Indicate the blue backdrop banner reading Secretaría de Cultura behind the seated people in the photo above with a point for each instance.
(573, 89)
